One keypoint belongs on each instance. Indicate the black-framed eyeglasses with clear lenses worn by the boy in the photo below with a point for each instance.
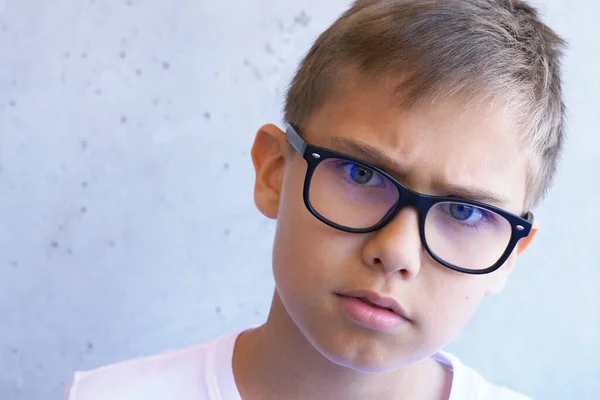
(354, 196)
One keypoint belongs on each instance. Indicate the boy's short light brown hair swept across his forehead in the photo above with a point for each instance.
(484, 49)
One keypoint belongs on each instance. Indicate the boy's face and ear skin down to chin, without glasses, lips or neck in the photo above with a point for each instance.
(313, 263)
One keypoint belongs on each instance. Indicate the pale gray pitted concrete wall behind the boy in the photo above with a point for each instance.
(126, 217)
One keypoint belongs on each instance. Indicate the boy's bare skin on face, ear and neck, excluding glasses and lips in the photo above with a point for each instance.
(308, 348)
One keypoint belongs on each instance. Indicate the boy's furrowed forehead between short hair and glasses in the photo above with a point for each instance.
(448, 141)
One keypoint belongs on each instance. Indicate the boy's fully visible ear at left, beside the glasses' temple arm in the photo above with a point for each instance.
(269, 153)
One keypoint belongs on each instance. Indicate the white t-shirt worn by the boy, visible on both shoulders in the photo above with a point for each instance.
(204, 372)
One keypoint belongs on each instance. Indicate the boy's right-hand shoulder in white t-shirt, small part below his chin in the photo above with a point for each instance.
(468, 384)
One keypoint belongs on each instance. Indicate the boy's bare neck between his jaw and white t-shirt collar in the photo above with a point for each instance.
(276, 361)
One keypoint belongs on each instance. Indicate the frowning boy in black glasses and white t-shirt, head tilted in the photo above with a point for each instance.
(419, 135)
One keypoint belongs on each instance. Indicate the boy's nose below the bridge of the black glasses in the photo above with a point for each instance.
(397, 247)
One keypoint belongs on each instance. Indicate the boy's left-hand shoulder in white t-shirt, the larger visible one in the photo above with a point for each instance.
(174, 374)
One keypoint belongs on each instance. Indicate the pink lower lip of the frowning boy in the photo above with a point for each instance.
(369, 316)
